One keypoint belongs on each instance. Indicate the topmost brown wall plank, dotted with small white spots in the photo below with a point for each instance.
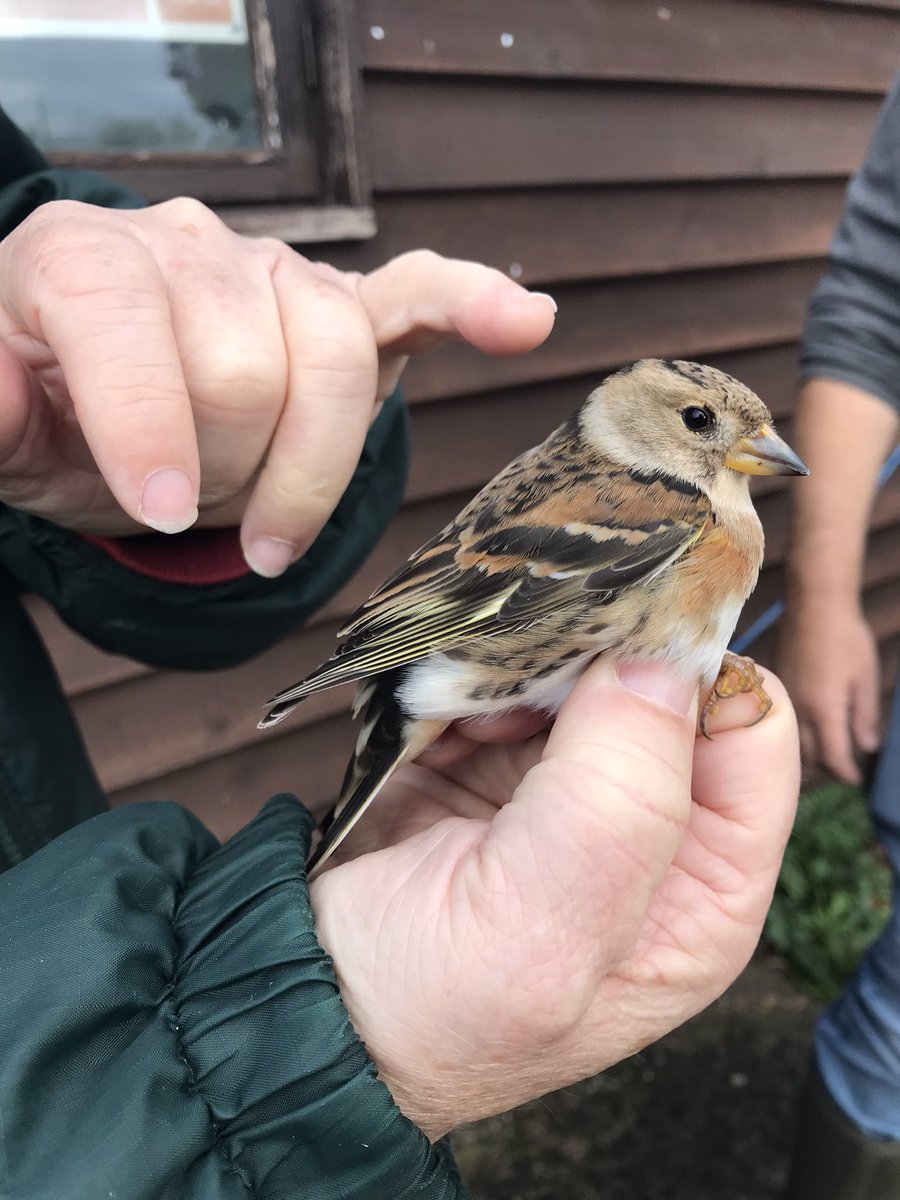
(733, 43)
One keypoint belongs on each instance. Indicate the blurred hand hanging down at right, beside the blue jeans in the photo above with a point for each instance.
(829, 659)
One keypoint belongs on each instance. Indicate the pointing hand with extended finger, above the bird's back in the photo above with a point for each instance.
(154, 363)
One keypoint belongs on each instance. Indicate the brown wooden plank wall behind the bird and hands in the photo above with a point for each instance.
(671, 172)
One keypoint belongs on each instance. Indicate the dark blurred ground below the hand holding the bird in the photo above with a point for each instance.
(707, 1114)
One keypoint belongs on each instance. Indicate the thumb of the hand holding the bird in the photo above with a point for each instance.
(595, 827)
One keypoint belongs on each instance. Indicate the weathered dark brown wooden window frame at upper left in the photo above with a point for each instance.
(308, 182)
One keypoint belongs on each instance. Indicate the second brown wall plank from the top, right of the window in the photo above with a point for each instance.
(437, 134)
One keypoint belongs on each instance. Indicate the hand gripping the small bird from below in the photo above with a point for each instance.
(538, 910)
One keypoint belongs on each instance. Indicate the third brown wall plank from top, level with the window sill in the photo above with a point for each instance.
(550, 236)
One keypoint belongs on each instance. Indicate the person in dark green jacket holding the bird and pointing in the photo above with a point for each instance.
(172, 1025)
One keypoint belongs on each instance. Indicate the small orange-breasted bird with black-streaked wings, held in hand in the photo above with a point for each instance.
(628, 532)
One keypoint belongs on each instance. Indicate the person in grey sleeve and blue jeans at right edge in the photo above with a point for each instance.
(848, 423)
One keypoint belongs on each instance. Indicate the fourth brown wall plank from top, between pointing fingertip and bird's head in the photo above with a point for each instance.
(603, 326)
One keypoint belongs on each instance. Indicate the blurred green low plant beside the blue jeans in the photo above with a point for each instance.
(833, 895)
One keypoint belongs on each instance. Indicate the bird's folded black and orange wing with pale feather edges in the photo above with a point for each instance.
(501, 567)
